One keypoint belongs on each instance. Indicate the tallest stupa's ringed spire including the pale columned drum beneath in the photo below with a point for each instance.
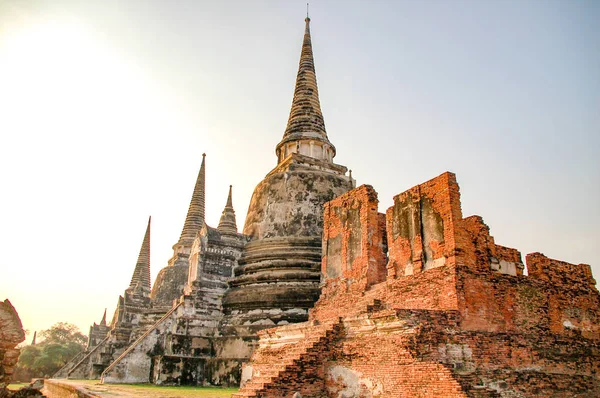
(306, 123)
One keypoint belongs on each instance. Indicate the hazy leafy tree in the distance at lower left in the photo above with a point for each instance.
(60, 343)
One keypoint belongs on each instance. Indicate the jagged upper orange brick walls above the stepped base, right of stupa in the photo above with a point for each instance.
(467, 270)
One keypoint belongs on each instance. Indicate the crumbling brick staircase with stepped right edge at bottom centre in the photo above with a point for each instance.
(288, 358)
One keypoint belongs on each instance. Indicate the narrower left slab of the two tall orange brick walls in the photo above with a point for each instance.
(354, 254)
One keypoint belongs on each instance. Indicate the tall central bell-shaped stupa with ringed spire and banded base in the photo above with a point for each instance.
(277, 278)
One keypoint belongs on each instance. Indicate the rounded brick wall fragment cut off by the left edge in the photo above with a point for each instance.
(11, 334)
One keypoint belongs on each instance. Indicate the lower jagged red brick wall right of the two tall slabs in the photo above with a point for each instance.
(495, 296)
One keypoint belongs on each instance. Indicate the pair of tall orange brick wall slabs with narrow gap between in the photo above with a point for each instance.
(419, 235)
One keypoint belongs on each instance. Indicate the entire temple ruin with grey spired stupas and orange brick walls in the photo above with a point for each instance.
(322, 295)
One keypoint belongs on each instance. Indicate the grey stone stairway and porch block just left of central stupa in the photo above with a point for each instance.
(184, 347)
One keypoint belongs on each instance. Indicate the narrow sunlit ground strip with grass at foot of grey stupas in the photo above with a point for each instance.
(152, 391)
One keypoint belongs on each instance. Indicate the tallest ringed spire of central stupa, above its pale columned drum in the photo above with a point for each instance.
(306, 120)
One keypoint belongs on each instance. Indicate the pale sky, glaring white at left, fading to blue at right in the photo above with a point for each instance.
(106, 108)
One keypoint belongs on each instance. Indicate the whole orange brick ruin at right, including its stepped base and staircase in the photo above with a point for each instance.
(460, 328)
